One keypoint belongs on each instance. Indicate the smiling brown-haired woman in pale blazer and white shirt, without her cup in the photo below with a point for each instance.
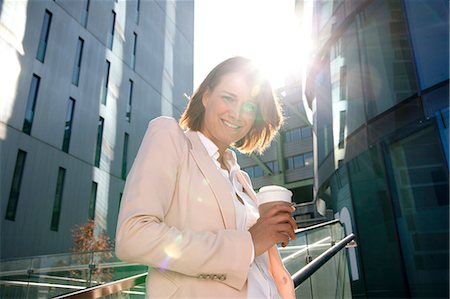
(188, 210)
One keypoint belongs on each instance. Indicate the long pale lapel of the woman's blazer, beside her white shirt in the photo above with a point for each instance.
(219, 186)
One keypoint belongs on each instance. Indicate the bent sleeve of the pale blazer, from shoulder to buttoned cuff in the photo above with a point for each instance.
(143, 236)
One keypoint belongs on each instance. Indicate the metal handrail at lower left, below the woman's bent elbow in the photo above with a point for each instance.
(107, 288)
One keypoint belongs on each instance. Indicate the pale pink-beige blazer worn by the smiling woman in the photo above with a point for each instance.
(177, 216)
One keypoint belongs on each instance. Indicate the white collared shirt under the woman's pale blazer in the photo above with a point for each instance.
(260, 281)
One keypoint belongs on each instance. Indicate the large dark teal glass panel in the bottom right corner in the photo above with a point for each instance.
(420, 177)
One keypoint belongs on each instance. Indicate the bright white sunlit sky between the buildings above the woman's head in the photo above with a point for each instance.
(267, 31)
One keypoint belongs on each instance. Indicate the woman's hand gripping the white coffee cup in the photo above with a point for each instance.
(276, 226)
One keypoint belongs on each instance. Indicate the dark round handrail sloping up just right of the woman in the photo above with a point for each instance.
(308, 270)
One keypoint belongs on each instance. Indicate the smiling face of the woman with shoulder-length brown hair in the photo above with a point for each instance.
(230, 111)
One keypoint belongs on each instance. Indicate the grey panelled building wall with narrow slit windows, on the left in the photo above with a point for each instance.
(161, 75)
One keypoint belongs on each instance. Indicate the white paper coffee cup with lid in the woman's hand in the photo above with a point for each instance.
(271, 195)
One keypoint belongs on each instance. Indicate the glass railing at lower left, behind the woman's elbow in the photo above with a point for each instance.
(52, 275)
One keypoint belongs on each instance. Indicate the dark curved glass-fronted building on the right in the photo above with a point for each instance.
(379, 90)
